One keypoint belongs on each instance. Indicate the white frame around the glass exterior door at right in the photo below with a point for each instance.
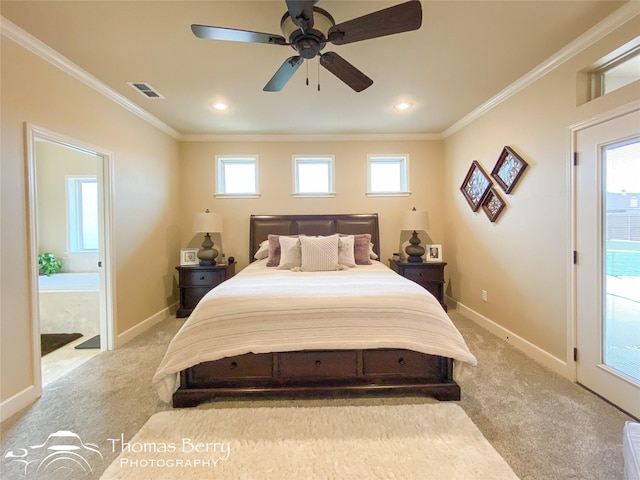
(572, 333)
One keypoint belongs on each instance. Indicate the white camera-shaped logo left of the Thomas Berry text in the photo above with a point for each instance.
(62, 456)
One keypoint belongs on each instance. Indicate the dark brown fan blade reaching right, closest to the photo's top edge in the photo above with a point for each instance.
(397, 19)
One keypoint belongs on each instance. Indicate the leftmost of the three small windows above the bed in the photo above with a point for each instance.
(237, 176)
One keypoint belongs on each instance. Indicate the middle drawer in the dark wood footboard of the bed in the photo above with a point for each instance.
(318, 363)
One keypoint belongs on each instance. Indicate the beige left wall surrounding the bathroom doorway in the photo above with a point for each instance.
(146, 237)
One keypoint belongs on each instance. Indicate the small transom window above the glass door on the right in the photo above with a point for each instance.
(617, 73)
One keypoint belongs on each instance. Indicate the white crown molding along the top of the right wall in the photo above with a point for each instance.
(591, 36)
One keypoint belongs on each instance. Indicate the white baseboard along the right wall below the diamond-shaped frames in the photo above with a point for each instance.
(529, 349)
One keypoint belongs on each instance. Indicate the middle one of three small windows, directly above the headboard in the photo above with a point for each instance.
(313, 175)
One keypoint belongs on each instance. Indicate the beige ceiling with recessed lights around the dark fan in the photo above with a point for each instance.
(465, 53)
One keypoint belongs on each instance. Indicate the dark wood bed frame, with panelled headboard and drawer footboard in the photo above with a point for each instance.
(317, 372)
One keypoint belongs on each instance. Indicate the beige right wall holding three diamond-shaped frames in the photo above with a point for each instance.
(523, 260)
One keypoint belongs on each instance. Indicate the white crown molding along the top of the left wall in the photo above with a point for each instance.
(35, 46)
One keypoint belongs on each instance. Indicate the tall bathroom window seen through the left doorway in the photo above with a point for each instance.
(82, 207)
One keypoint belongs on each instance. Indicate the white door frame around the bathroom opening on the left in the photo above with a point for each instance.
(106, 255)
